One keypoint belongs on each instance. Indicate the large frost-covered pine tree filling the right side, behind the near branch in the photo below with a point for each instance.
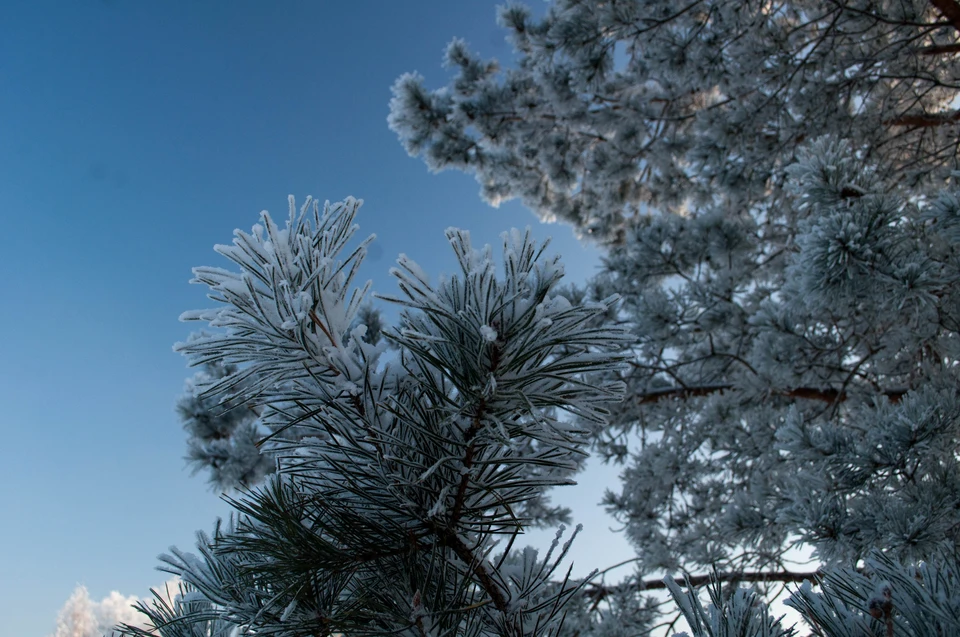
(773, 183)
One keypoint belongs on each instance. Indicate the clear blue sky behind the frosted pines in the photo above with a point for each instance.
(133, 137)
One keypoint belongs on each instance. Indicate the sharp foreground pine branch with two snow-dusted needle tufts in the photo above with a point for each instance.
(402, 479)
